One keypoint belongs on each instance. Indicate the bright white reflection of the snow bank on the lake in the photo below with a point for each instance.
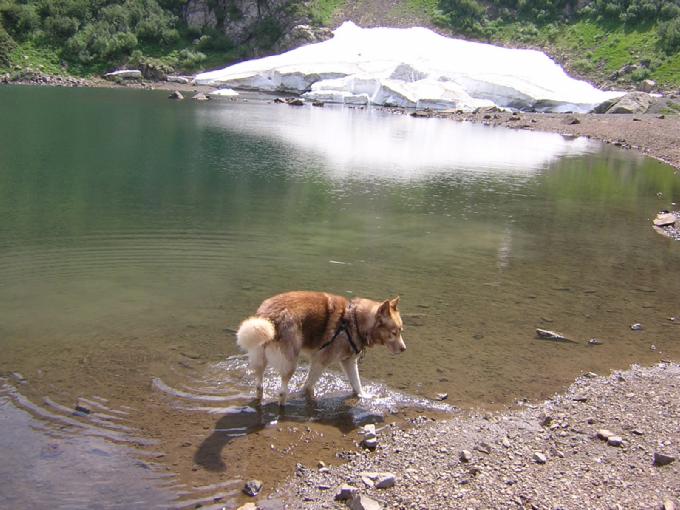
(372, 143)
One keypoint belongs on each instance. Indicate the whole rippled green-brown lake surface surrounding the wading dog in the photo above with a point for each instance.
(136, 233)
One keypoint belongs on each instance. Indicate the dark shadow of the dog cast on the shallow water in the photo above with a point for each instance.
(342, 412)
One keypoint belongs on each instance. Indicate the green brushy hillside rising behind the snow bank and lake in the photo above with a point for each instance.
(618, 43)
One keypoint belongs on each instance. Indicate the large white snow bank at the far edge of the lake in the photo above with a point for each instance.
(413, 67)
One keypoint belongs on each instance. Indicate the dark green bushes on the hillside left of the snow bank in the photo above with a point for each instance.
(85, 37)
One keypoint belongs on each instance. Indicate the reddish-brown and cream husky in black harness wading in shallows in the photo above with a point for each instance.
(324, 327)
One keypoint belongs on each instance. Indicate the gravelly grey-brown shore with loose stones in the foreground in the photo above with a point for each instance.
(606, 443)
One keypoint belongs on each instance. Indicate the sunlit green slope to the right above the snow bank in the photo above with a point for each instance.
(595, 39)
